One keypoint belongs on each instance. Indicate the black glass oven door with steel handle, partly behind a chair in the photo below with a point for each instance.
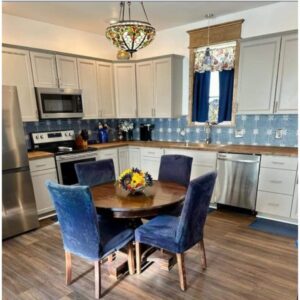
(65, 166)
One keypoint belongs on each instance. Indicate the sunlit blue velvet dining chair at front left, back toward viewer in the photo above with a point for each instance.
(83, 233)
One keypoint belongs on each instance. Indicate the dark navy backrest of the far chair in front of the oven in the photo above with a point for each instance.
(92, 173)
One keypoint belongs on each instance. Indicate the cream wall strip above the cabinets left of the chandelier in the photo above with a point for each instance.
(30, 33)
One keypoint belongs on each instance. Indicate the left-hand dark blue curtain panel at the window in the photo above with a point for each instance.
(200, 96)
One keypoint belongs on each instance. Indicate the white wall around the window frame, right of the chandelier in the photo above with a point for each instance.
(263, 20)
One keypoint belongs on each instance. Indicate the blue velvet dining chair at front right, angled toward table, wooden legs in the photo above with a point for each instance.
(178, 234)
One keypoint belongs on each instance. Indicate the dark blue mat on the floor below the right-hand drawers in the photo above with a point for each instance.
(274, 227)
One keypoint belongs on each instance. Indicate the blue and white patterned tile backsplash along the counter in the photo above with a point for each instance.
(258, 129)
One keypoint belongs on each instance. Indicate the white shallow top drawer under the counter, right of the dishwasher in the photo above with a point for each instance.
(279, 162)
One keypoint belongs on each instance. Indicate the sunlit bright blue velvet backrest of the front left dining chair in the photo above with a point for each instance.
(77, 217)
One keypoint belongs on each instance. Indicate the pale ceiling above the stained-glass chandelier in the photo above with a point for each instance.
(94, 17)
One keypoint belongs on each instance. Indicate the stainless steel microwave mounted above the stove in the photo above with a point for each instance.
(54, 103)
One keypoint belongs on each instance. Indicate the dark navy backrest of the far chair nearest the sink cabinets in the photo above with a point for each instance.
(175, 168)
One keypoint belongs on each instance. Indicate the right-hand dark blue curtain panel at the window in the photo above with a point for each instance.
(226, 79)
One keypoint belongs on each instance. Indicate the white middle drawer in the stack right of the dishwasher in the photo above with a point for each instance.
(277, 181)
